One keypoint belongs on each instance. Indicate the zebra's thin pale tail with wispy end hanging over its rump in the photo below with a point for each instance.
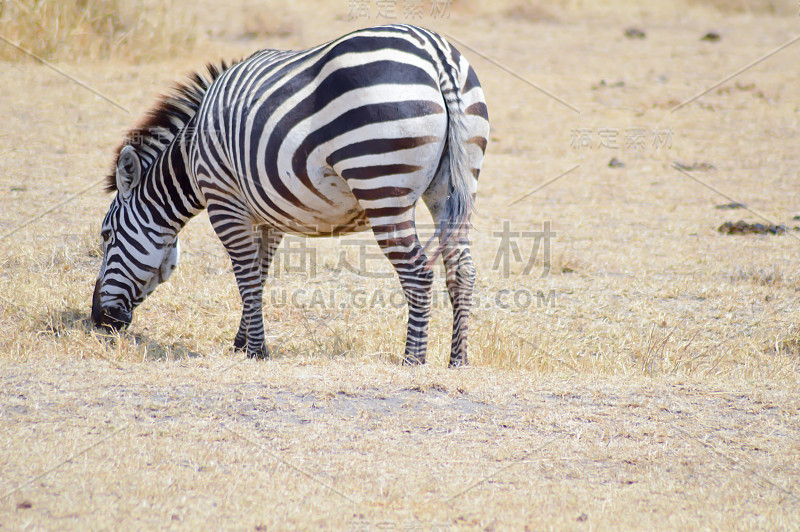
(460, 203)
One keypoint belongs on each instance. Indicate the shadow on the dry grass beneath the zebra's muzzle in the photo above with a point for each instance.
(66, 322)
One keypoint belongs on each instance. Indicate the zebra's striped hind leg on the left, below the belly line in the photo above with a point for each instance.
(400, 244)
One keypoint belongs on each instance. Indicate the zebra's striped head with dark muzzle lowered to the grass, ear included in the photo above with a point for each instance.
(138, 253)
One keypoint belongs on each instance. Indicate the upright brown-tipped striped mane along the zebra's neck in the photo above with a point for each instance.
(165, 120)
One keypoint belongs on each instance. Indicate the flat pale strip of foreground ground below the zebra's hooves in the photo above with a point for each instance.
(203, 444)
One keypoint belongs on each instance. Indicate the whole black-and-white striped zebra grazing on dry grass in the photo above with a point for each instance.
(335, 139)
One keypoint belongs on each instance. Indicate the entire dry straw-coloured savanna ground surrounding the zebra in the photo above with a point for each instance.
(644, 374)
